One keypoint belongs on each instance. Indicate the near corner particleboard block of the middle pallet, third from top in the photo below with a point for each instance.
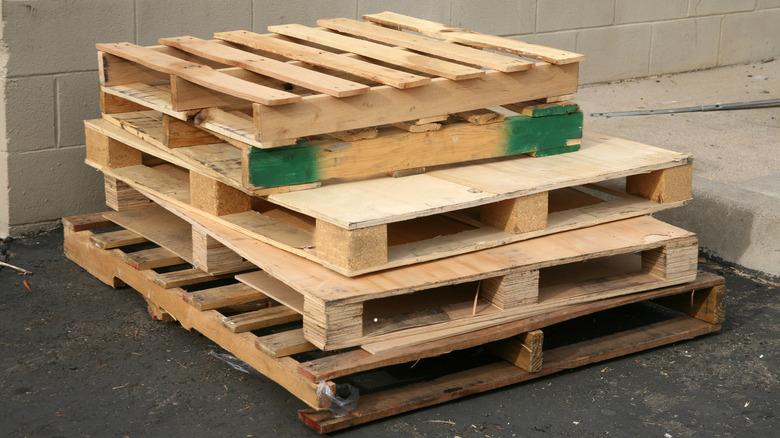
(351, 249)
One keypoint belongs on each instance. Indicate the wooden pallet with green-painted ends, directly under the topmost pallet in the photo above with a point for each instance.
(539, 130)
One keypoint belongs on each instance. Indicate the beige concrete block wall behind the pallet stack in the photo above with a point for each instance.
(49, 79)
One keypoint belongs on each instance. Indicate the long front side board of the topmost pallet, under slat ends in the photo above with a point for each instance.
(386, 105)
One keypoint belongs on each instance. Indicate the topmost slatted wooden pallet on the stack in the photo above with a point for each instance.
(300, 81)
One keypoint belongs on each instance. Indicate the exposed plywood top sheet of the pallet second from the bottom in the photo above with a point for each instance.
(311, 279)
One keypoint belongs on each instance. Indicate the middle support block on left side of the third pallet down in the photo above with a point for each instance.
(215, 197)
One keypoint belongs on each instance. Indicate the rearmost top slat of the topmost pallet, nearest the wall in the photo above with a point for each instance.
(474, 39)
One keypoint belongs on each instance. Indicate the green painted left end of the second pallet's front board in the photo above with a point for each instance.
(282, 166)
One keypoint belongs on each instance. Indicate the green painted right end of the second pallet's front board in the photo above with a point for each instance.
(536, 134)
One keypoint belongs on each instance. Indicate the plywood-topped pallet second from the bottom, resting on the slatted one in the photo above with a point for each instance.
(444, 297)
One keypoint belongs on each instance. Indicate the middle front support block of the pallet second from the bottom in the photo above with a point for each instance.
(511, 290)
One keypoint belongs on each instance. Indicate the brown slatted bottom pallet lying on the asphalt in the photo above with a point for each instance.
(219, 311)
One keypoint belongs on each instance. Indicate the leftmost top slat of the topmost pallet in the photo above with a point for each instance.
(199, 74)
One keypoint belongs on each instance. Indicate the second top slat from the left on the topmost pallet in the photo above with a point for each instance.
(283, 71)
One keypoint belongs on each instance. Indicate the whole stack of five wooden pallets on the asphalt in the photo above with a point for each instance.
(323, 202)
